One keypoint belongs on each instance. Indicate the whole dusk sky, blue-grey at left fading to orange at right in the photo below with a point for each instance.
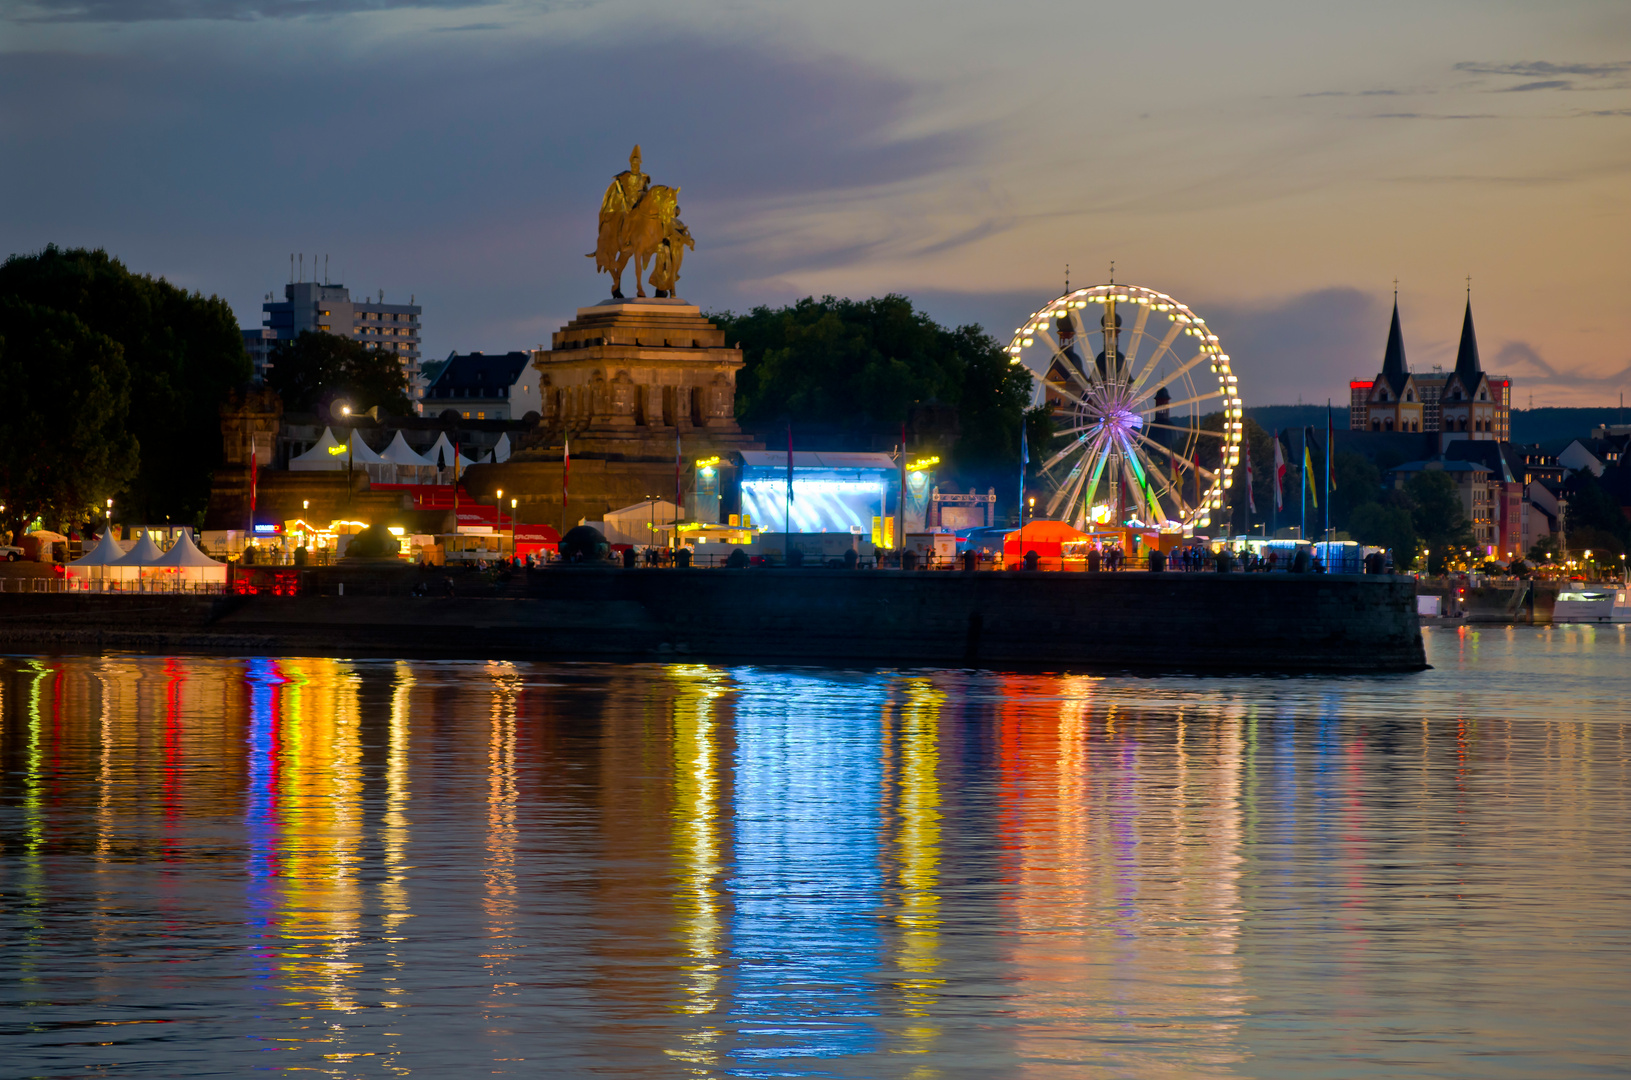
(1273, 164)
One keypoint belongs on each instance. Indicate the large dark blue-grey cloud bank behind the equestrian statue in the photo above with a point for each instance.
(467, 174)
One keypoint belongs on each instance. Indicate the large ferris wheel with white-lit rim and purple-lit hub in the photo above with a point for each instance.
(1129, 376)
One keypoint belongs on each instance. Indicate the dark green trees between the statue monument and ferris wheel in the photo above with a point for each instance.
(869, 363)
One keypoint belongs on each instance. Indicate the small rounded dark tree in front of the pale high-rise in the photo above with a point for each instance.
(319, 366)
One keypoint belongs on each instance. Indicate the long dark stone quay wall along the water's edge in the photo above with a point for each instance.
(1015, 619)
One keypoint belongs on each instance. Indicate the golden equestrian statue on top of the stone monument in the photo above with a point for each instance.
(642, 223)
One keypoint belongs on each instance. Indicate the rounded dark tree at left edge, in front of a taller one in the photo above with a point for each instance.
(64, 445)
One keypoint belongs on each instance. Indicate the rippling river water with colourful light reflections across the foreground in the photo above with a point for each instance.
(369, 869)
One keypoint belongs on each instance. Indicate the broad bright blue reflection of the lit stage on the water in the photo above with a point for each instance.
(808, 879)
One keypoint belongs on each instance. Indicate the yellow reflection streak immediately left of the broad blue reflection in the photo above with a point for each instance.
(697, 843)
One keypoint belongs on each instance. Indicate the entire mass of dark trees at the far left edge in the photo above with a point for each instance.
(113, 384)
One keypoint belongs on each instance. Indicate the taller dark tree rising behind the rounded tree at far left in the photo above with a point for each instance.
(183, 353)
